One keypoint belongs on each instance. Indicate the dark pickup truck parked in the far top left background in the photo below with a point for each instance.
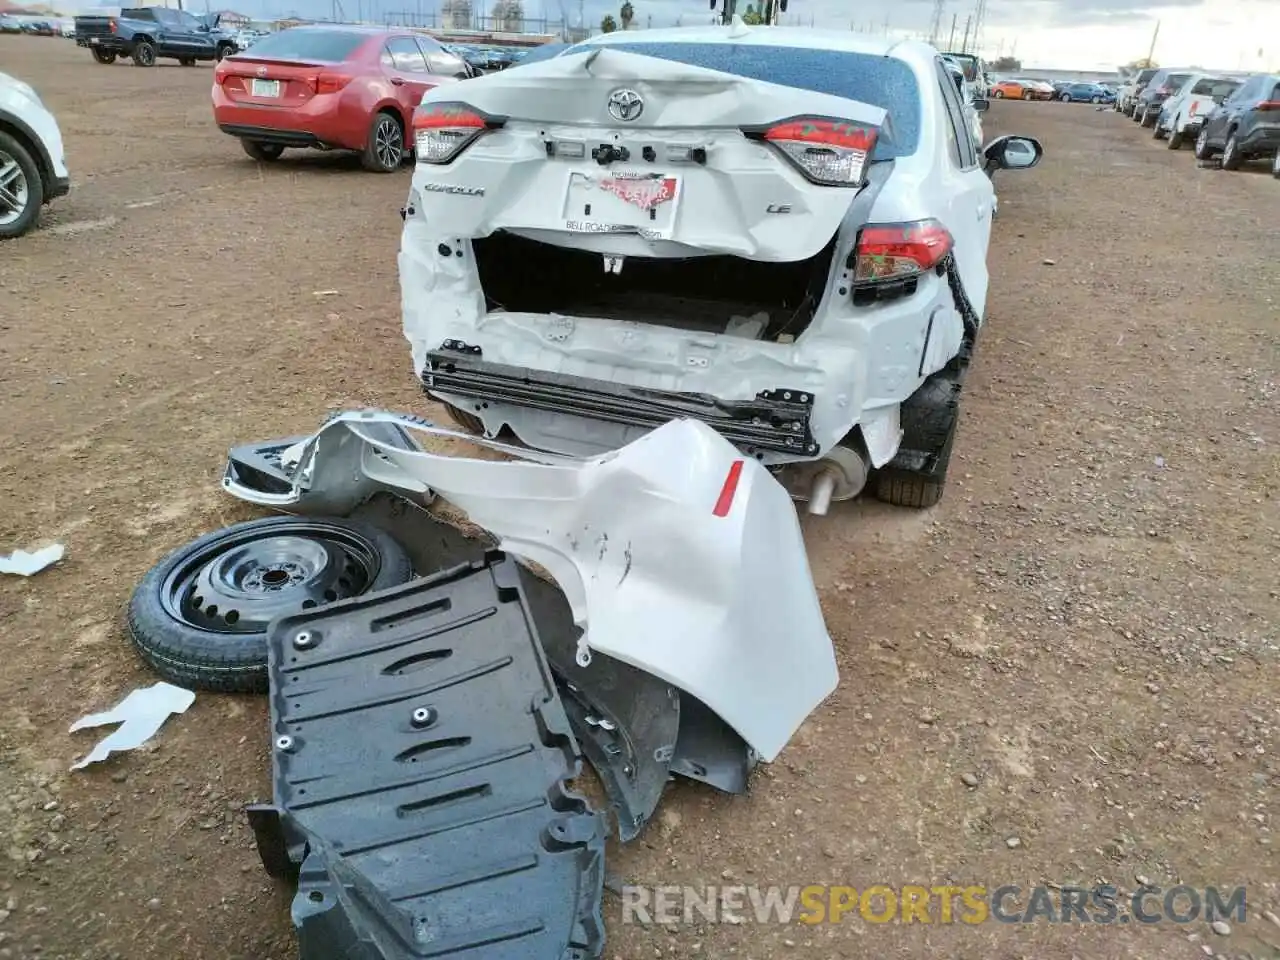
(148, 34)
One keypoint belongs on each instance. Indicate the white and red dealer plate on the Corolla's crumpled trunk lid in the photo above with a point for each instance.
(623, 203)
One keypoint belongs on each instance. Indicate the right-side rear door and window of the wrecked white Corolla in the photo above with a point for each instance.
(967, 194)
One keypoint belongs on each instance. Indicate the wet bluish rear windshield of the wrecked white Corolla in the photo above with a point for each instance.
(879, 81)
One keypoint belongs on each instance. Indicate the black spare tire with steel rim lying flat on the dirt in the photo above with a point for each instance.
(188, 641)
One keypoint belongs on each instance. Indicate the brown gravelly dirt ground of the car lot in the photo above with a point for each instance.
(1066, 674)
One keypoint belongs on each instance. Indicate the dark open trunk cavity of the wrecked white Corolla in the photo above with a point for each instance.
(711, 294)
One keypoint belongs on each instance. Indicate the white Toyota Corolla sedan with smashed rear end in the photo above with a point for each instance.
(719, 223)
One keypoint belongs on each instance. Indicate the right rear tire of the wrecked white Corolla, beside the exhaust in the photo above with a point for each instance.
(930, 419)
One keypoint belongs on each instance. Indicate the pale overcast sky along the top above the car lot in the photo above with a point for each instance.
(1062, 34)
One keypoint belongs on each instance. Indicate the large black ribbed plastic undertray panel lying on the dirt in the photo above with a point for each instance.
(420, 761)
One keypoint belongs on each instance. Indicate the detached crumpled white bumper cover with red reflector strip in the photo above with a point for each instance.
(678, 555)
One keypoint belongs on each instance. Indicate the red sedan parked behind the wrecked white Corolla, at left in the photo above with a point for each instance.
(331, 88)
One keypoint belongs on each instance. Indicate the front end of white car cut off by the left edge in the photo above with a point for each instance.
(33, 167)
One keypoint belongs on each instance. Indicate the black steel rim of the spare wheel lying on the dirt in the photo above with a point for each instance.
(240, 584)
